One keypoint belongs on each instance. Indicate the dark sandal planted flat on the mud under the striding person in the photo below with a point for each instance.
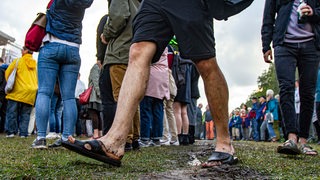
(221, 157)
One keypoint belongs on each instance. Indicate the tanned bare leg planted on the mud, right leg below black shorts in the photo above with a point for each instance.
(216, 89)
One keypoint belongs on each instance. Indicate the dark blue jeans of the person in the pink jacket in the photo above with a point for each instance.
(151, 117)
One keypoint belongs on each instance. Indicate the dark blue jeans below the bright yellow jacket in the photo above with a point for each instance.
(18, 116)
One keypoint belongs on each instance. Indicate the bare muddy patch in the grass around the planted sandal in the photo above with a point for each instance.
(189, 167)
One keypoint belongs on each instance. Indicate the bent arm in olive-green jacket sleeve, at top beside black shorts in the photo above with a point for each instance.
(119, 14)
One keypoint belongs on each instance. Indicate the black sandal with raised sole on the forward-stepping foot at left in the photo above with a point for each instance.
(94, 149)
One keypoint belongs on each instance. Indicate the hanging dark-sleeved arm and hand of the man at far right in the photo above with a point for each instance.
(267, 28)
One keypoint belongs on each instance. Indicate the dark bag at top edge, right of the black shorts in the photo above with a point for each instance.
(222, 9)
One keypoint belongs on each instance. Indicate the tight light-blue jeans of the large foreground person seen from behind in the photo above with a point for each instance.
(62, 61)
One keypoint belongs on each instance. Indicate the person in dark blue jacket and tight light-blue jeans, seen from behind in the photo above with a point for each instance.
(59, 57)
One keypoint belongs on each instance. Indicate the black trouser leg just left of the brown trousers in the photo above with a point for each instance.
(109, 105)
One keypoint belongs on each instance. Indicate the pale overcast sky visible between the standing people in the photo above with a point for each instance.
(238, 42)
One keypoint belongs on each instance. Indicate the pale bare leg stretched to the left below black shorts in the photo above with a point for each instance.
(132, 90)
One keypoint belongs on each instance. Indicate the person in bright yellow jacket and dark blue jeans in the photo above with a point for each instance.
(23, 95)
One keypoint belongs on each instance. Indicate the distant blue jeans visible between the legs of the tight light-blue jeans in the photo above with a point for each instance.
(55, 114)
